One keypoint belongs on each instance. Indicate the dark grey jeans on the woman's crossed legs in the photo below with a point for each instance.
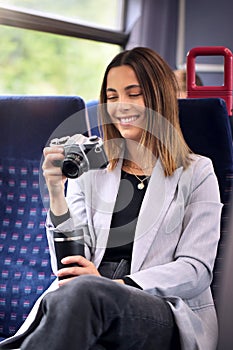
(94, 313)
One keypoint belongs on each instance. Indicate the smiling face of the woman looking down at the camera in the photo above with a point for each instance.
(125, 102)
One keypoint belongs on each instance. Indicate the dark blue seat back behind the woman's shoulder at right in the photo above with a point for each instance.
(206, 128)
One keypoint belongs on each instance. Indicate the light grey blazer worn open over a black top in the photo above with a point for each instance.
(175, 244)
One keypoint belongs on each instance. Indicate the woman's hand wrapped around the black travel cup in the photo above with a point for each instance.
(85, 267)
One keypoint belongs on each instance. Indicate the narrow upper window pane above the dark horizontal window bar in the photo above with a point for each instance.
(104, 13)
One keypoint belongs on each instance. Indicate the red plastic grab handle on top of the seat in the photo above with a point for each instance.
(224, 91)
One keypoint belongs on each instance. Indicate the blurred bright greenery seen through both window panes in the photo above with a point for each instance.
(37, 63)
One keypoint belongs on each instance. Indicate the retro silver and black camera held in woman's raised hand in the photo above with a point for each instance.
(80, 158)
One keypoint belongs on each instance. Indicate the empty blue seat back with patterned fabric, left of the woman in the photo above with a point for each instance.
(27, 123)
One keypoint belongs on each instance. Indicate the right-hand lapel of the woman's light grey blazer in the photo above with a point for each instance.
(158, 197)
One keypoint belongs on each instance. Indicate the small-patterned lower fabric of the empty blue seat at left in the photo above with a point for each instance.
(25, 263)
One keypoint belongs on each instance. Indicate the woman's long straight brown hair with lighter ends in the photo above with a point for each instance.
(159, 89)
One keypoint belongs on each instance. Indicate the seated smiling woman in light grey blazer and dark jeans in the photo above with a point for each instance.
(153, 218)
